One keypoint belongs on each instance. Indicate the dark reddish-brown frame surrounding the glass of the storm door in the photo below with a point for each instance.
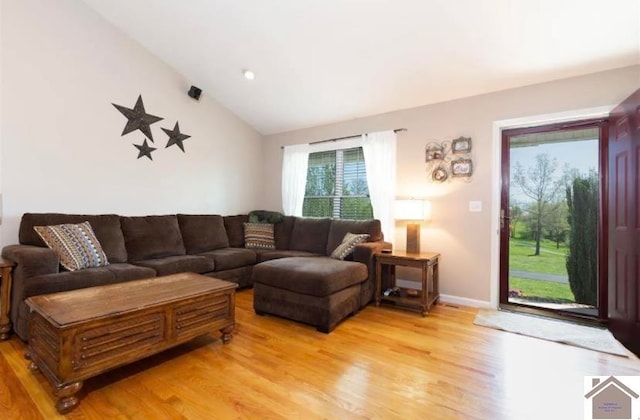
(603, 161)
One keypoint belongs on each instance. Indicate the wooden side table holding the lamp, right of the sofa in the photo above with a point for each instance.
(425, 298)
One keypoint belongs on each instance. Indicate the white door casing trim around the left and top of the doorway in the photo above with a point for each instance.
(496, 174)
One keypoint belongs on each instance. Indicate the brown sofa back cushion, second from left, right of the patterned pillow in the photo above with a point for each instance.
(148, 237)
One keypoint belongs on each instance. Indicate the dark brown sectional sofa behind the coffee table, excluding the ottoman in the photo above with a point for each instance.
(148, 246)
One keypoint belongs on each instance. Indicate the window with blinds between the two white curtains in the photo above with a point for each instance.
(337, 185)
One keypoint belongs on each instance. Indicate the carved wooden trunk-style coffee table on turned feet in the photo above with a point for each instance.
(82, 333)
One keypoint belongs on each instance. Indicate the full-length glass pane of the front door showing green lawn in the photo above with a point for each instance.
(553, 226)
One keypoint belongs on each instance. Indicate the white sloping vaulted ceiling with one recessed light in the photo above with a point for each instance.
(323, 61)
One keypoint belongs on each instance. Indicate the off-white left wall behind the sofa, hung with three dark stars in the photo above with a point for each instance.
(62, 68)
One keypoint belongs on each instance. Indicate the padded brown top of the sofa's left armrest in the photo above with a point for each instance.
(31, 260)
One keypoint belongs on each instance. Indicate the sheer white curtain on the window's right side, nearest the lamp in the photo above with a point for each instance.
(380, 160)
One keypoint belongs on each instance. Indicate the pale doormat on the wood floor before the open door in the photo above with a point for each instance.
(592, 338)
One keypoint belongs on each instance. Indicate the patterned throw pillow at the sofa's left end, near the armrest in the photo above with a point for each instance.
(76, 245)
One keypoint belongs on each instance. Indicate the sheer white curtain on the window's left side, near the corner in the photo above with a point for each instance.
(294, 178)
